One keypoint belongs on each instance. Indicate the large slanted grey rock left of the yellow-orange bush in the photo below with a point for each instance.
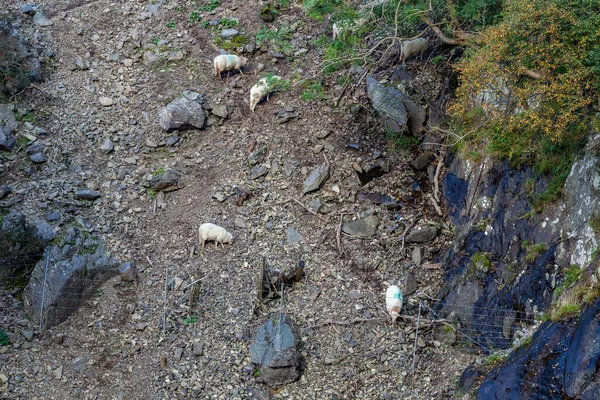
(387, 101)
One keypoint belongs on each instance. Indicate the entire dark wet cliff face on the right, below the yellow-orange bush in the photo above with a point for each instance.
(506, 264)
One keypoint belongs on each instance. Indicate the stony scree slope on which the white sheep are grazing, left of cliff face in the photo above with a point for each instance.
(308, 183)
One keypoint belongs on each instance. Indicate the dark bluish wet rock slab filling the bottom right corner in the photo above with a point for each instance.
(561, 362)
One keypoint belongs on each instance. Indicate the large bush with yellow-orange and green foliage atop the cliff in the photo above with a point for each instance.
(527, 83)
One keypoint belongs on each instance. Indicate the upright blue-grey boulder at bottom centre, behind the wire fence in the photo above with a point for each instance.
(275, 351)
